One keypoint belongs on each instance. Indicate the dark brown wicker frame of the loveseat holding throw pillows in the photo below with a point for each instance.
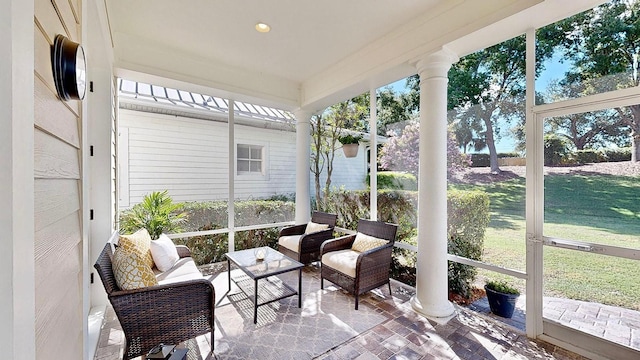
(168, 314)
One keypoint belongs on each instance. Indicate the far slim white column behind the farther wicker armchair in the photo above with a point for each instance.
(303, 165)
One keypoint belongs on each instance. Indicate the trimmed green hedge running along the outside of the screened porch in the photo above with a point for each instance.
(468, 216)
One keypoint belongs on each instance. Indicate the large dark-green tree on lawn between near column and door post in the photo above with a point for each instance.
(486, 90)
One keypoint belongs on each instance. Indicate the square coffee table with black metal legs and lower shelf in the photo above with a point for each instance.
(270, 288)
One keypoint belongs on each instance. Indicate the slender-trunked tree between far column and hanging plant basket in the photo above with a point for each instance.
(326, 128)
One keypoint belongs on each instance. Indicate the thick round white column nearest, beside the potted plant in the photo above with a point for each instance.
(431, 297)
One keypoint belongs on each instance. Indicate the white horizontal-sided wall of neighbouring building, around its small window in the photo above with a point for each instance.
(188, 157)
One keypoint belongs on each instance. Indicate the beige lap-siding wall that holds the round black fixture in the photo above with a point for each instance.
(58, 242)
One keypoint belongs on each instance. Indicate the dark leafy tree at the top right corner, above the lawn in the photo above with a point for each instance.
(603, 44)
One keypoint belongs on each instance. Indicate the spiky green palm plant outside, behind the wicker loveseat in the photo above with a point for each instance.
(157, 213)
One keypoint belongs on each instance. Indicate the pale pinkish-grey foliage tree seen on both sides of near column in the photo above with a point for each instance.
(401, 152)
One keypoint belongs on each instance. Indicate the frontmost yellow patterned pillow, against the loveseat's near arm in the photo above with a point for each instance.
(130, 271)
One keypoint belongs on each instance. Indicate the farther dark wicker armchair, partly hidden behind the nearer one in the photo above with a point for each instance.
(308, 245)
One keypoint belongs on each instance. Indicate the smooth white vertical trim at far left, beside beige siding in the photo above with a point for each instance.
(17, 269)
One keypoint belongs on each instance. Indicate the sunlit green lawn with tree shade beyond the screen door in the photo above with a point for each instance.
(602, 209)
